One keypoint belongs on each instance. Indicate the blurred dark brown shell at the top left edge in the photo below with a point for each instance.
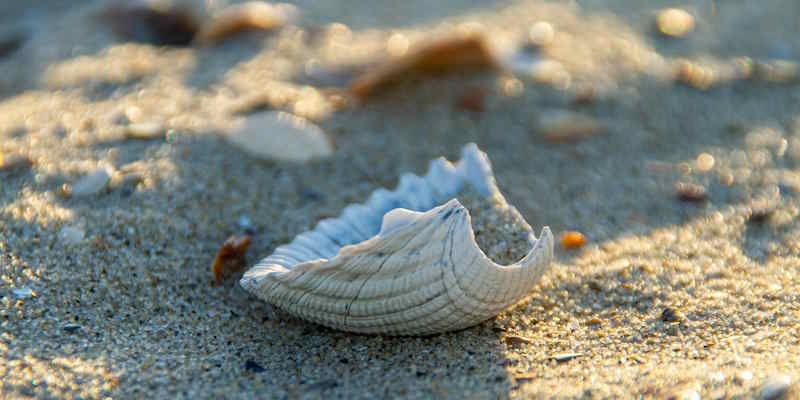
(158, 22)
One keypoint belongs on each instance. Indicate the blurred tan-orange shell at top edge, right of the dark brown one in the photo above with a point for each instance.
(245, 17)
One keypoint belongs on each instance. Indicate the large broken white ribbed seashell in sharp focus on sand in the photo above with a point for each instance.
(399, 264)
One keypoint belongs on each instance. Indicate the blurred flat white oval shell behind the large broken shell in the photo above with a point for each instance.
(277, 135)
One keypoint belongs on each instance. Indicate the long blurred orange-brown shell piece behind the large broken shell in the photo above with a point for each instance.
(437, 57)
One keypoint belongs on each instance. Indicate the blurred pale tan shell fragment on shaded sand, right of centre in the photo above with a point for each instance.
(562, 126)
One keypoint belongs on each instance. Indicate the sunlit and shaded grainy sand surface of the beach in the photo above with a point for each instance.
(689, 284)
